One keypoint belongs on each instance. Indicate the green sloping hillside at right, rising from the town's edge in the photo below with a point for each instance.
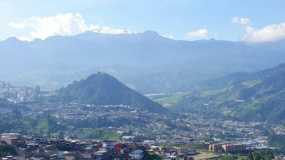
(248, 96)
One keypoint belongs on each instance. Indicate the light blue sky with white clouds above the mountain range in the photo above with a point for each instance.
(234, 20)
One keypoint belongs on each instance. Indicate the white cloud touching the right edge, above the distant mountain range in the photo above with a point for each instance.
(269, 33)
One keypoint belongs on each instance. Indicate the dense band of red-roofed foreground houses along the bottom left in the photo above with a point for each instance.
(38, 148)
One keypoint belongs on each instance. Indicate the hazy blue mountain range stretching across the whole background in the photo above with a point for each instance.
(145, 61)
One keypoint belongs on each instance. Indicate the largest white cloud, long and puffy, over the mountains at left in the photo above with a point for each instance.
(62, 24)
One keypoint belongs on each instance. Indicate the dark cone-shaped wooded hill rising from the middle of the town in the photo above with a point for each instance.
(103, 89)
